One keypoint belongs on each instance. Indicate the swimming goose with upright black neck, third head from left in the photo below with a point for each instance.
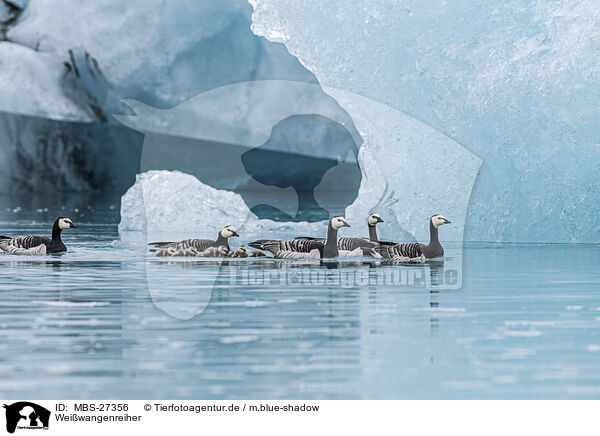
(307, 248)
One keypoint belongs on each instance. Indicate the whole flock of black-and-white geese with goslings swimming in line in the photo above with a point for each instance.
(304, 247)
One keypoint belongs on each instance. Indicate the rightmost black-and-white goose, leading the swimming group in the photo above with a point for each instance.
(414, 250)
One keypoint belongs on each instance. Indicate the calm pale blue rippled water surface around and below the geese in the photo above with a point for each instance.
(89, 324)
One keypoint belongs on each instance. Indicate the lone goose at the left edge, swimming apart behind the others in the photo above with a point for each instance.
(38, 245)
